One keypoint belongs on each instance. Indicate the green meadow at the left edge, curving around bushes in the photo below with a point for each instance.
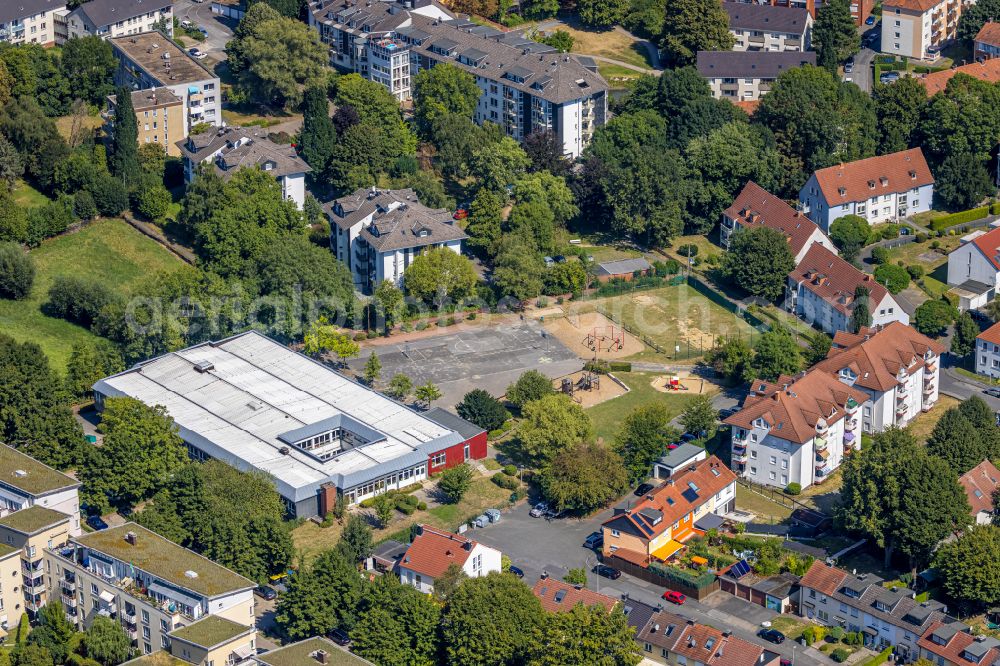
(107, 250)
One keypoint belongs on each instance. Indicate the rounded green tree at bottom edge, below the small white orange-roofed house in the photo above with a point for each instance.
(491, 621)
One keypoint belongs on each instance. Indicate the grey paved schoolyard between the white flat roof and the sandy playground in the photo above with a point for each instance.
(487, 358)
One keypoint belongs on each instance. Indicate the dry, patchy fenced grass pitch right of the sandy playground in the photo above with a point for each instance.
(672, 317)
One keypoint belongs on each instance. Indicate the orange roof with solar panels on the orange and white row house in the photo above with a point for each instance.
(682, 493)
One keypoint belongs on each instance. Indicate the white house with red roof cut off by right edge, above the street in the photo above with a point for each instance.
(974, 268)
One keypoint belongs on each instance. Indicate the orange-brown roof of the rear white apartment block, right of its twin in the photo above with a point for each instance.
(876, 356)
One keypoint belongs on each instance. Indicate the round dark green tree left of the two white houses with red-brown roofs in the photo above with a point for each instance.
(759, 261)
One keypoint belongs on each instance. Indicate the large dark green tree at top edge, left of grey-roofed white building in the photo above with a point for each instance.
(690, 26)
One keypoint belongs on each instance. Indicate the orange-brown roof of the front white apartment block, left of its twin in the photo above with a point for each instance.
(792, 407)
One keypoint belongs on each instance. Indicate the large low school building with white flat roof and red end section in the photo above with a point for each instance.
(257, 405)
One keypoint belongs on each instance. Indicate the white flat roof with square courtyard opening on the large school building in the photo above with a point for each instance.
(256, 389)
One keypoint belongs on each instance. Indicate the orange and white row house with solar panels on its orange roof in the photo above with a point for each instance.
(659, 524)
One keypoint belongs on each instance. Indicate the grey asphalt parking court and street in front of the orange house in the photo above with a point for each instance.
(536, 545)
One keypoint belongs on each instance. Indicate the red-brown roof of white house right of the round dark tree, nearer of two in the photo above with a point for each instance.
(834, 279)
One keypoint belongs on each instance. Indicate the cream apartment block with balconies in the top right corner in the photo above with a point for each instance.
(919, 28)
